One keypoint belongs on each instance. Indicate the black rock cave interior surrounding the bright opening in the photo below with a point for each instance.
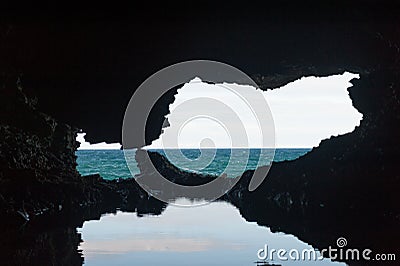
(61, 73)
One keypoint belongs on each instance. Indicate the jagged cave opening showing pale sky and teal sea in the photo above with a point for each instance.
(304, 112)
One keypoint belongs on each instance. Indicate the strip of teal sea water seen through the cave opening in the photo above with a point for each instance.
(111, 164)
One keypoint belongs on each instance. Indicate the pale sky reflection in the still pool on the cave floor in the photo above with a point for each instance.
(213, 234)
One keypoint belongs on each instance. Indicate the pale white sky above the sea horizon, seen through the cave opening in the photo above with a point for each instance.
(304, 112)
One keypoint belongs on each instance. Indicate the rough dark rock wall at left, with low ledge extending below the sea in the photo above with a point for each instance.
(38, 173)
